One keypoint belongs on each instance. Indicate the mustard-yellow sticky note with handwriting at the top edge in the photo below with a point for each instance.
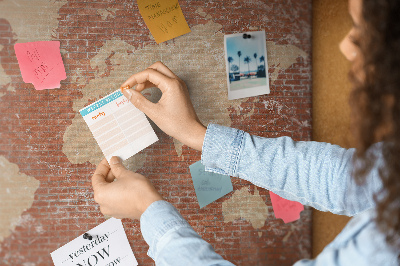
(164, 18)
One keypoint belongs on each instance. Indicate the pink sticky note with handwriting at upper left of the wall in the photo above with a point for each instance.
(41, 64)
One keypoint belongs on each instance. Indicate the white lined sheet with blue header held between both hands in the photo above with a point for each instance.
(118, 126)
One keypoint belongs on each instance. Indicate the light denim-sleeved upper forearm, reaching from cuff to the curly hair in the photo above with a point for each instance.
(312, 173)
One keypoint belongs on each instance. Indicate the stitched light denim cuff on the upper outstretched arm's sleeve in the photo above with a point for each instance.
(222, 148)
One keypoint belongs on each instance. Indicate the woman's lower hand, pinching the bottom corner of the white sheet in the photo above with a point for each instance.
(127, 197)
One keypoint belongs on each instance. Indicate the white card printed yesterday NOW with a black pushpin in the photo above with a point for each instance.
(108, 247)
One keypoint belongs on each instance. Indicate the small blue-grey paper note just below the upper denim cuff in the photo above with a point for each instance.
(209, 186)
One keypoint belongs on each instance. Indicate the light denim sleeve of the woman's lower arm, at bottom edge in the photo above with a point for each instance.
(173, 241)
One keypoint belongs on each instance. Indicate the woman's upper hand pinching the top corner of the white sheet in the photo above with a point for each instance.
(173, 113)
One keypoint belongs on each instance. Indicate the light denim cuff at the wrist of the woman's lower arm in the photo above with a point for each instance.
(157, 220)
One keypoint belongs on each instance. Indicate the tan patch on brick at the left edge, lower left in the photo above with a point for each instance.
(20, 197)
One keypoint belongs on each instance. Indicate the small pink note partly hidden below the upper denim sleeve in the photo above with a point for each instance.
(287, 210)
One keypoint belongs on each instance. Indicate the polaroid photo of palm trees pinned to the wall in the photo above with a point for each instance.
(246, 64)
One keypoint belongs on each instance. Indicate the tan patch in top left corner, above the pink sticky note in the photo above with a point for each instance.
(32, 20)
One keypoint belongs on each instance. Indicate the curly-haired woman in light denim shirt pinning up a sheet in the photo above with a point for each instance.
(316, 174)
